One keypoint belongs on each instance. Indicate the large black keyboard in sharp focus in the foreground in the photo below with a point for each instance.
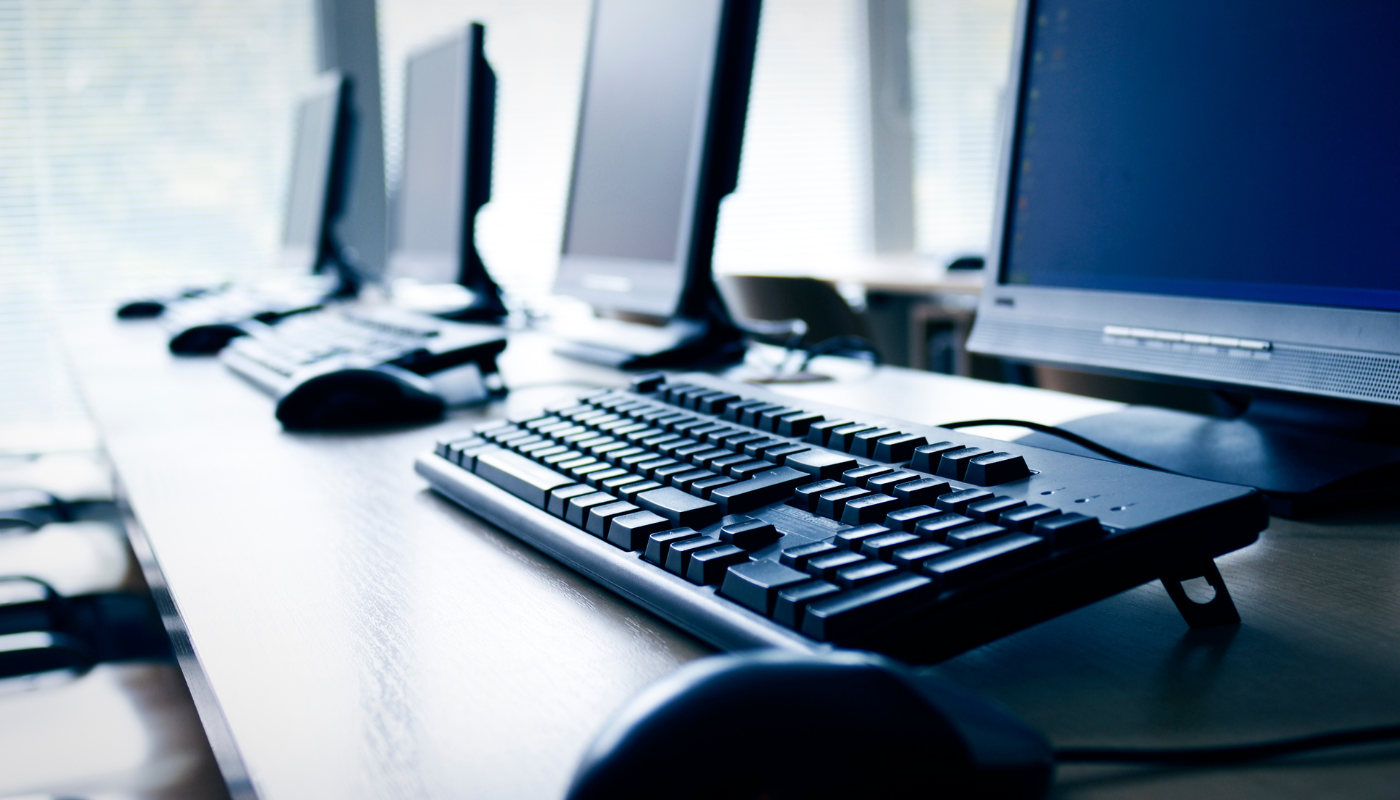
(751, 519)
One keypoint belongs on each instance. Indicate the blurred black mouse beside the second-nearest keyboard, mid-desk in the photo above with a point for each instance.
(355, 399)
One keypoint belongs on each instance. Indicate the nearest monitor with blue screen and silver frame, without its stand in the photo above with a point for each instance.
(1206, 193)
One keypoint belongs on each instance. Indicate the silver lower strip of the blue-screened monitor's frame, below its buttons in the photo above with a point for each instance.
(1290, 368)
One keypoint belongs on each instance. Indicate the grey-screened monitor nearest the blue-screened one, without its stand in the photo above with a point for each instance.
(666, 82)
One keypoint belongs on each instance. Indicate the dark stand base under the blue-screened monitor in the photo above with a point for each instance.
(1305, 455)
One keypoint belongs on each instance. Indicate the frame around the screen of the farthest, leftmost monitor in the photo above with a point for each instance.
(309, 258)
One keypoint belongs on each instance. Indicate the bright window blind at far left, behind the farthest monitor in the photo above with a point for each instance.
(142, 144)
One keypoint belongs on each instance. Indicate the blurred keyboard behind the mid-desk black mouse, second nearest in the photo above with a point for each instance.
(278, 358)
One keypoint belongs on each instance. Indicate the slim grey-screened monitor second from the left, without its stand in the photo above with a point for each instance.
(449, 116)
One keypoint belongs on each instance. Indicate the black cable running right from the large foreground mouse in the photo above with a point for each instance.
(1230, 753)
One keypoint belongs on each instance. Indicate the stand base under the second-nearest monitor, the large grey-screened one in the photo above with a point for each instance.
(631, 343)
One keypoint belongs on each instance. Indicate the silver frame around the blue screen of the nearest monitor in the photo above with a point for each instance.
(1014, 320)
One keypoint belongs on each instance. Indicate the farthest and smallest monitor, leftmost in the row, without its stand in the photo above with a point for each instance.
(318, 165)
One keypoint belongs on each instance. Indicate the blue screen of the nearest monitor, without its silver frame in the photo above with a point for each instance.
(1244, 151)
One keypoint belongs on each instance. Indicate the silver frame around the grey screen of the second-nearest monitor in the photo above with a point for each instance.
(646, 288)
